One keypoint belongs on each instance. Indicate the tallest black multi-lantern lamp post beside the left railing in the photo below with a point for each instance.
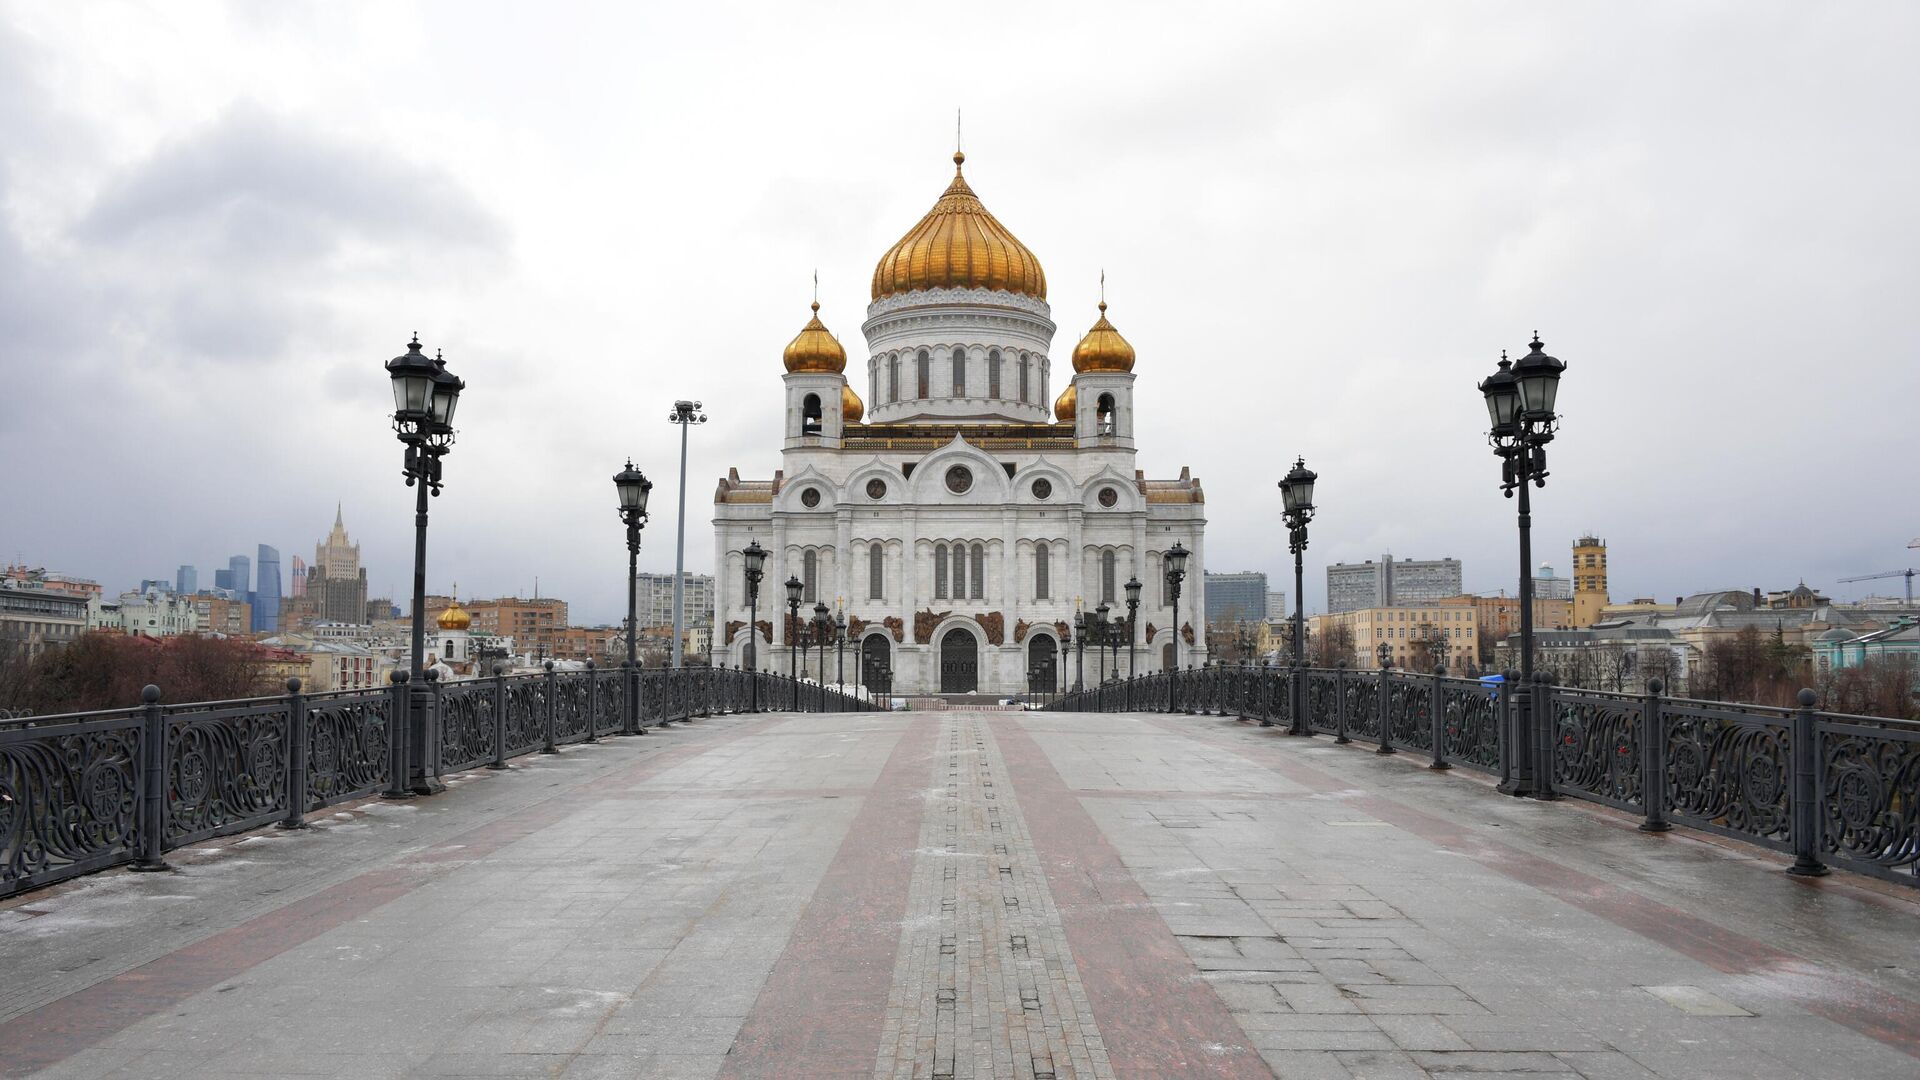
(425, 397)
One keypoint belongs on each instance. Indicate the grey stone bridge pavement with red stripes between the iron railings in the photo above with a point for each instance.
(963, 895)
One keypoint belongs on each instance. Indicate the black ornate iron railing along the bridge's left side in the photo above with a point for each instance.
(89, 791)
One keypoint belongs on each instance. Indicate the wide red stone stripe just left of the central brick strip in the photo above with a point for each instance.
(825, 1006)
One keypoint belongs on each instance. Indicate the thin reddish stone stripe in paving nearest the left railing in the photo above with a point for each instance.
(85, 1018)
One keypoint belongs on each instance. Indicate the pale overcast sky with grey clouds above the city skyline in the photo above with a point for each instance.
(1320, 228)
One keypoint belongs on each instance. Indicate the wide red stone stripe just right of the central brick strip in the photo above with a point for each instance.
(1155, 1012)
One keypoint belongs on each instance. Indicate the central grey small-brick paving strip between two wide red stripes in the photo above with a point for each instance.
(984, 983)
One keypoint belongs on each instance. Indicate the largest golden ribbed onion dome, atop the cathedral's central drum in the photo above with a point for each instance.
(959, 245)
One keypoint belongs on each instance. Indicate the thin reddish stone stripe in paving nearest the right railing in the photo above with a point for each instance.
(1815, 989)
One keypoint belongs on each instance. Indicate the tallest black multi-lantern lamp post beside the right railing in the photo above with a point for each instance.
(1520, 405)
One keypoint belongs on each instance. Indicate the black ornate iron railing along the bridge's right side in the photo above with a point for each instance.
(1823, 787)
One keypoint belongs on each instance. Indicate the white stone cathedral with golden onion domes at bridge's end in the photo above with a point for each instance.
(959, 522)
